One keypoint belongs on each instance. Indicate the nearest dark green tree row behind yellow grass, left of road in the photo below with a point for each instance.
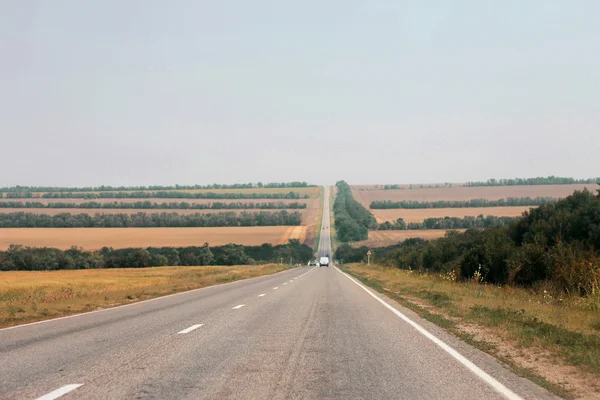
(19, 258)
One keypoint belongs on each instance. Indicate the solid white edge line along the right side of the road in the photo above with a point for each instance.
(484, 376)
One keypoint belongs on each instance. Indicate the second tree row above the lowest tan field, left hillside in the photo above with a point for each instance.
(152, 205)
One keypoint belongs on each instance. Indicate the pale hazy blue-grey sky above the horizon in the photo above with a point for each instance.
(163, 92)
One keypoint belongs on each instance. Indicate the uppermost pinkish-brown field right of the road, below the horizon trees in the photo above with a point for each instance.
(366, 196)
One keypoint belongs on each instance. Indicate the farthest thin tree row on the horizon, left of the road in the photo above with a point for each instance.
(104, 188)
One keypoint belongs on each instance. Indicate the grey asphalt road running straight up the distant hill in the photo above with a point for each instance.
(305, 333)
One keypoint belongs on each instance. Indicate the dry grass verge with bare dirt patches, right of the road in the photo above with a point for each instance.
(552, 341)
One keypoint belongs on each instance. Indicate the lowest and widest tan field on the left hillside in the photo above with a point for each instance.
(96, 238)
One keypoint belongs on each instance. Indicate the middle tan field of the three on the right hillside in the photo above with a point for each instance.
(418, 215)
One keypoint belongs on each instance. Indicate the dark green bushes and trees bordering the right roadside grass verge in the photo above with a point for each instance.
(555, 243)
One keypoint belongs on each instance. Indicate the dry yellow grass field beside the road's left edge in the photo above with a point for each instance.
(27, 296)
